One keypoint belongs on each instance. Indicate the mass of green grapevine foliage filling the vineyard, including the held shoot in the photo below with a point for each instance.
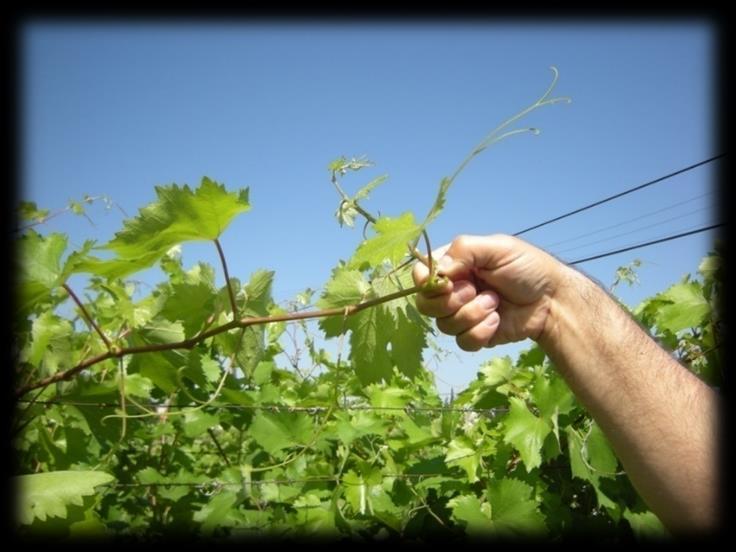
(209, 409)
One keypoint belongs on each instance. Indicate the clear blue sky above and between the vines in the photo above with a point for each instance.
(118, 108)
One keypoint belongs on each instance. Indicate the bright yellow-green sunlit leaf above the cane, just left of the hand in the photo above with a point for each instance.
(389, 243)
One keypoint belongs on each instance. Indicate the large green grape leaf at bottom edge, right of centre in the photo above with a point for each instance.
(513, 510)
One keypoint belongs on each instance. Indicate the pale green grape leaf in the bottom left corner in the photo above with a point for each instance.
(44, 495)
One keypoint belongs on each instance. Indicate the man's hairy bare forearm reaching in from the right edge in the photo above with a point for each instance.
(660, 418)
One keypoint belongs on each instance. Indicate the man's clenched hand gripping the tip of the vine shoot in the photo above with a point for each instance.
(499, 289)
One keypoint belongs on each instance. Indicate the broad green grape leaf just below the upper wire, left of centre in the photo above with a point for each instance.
(280, 430)
